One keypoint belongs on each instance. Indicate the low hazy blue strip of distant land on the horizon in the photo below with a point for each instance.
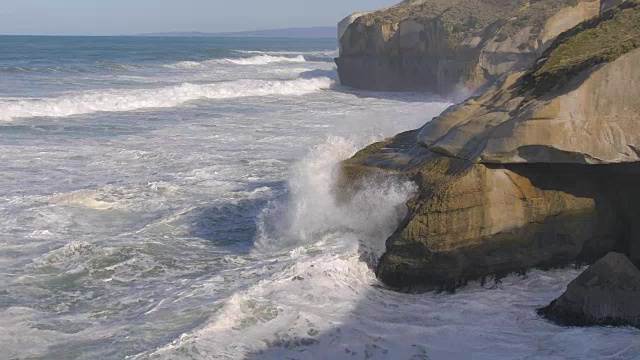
(321, 32)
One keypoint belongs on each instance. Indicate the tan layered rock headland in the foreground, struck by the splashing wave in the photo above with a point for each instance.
(540, 170)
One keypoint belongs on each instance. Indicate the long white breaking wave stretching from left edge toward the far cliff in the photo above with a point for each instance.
(166, 97)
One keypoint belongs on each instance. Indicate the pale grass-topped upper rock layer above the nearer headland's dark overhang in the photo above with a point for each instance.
(578, 105)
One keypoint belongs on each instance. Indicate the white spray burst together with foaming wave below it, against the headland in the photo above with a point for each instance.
(323, 271)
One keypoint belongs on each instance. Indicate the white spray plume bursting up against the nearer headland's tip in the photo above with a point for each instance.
(311, 211)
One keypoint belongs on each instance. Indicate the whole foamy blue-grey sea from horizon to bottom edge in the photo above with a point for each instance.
(172, 198)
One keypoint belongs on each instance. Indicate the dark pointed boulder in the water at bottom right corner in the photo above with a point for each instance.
(607, 293)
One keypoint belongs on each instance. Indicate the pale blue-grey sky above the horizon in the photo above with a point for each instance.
(119, 17)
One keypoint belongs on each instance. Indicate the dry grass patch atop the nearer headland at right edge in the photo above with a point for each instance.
(600, 40)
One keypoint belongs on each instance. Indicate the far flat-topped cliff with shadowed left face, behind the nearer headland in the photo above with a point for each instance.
(441, 46)
